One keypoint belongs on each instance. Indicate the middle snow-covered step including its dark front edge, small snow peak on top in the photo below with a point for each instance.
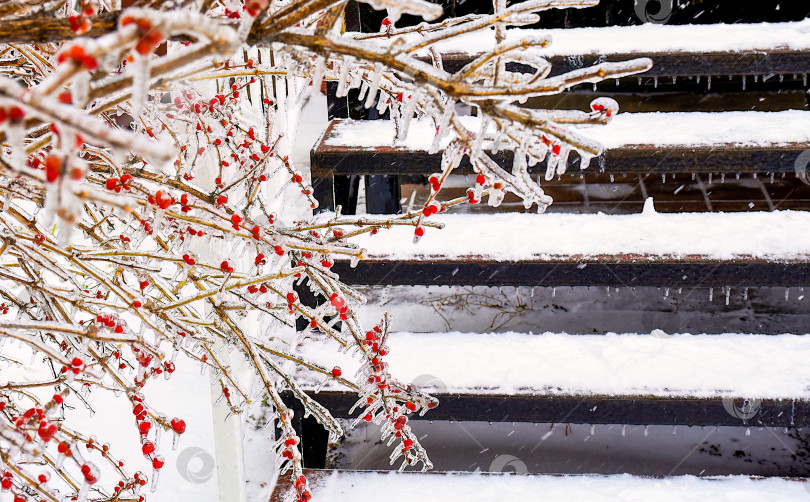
(648, 249)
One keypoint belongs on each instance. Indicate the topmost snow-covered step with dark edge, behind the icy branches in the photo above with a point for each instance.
(706, 50)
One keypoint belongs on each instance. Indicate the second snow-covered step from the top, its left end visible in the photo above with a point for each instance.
(708, 142)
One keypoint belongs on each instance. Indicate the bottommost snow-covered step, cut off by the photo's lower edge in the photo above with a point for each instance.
(344, 486)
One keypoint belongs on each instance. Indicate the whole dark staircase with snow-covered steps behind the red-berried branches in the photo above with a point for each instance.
(696, 214)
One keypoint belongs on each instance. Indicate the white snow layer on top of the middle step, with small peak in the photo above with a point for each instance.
(776, 236)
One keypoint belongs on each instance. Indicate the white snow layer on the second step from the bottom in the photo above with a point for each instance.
(620, 365)
